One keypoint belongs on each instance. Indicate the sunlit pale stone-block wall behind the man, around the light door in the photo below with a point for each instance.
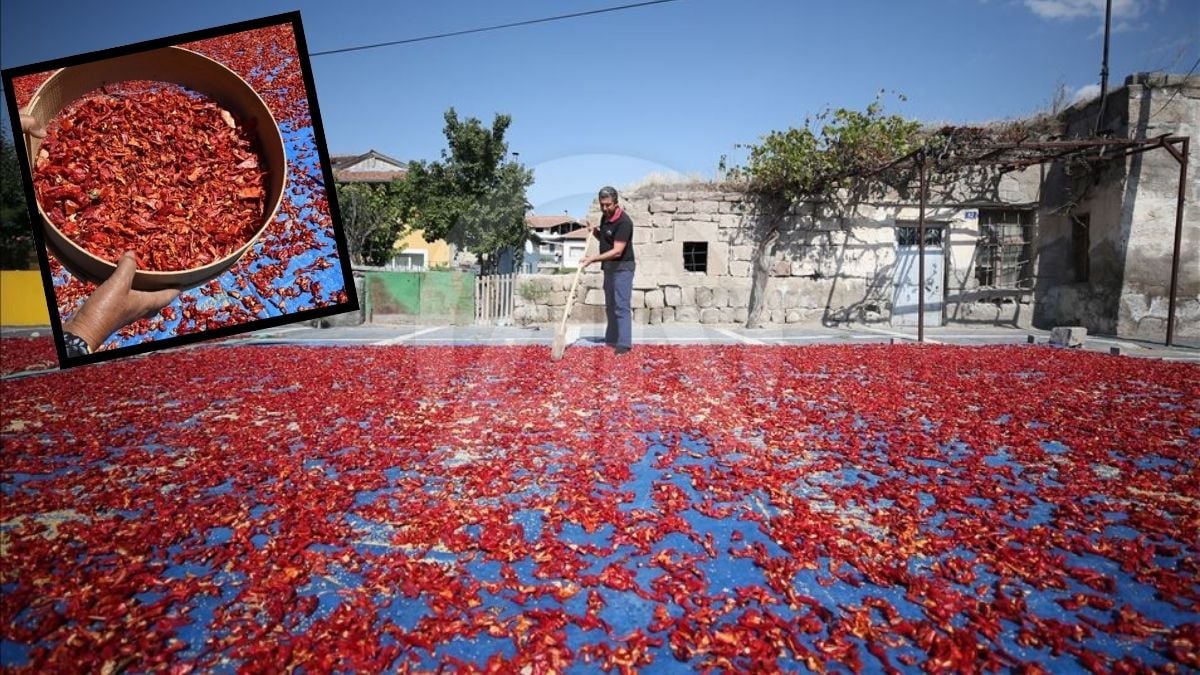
(825, 271)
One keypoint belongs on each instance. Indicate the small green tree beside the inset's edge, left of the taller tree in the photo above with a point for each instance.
(371, 220)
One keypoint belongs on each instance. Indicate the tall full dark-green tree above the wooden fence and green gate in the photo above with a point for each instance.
(475, 198)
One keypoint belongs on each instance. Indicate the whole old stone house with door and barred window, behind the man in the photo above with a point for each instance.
(1037, 247)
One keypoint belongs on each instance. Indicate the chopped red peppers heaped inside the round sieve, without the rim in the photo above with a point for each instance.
(155, 169)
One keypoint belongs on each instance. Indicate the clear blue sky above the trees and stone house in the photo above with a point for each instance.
(663, 89)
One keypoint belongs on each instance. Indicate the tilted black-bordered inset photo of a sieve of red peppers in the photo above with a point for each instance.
(178, 190)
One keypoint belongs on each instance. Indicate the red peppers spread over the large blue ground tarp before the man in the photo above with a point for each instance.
(746, 509)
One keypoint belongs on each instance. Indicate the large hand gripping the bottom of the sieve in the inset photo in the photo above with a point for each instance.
(116, 303)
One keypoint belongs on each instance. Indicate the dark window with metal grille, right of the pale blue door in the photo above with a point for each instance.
(1005, 250)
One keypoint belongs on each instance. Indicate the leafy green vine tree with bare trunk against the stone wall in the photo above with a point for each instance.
(825, 160)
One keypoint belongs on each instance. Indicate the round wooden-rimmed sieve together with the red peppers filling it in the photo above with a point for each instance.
(166, 153)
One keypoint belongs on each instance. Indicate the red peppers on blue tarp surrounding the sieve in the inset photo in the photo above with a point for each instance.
(281, 273)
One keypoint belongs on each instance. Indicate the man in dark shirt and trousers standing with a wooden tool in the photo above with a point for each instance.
(616, 259)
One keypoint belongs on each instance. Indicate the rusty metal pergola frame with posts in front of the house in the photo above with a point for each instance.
(959, 148)
